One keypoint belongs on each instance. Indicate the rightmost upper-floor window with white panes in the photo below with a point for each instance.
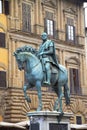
(70, 30)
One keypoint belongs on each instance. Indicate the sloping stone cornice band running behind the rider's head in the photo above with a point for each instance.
(38, 41)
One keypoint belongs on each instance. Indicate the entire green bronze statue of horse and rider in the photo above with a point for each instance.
(42, 69)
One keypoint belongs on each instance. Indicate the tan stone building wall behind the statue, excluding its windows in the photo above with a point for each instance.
(69, 55)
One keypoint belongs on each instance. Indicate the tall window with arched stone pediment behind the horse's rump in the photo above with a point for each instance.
(73, 65)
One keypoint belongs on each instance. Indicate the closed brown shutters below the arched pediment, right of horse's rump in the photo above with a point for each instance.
(74, 81)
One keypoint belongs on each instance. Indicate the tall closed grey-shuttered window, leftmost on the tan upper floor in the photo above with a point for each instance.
(26, 17)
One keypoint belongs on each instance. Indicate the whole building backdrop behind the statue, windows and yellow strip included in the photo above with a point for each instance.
(21, 23)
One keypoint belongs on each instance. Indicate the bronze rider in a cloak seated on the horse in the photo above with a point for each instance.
(47, 57)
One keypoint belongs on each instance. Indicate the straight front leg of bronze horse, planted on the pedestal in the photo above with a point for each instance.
(38, 86)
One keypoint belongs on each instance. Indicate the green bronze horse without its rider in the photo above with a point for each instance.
(28, 61)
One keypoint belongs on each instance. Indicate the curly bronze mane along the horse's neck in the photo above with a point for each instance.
(26, 49)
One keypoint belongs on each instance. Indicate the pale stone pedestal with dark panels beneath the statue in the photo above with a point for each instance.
(49, 120)
